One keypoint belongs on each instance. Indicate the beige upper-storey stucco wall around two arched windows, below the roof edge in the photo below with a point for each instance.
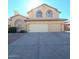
(44, 9)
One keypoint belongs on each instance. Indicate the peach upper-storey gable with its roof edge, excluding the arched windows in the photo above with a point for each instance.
(44, 8)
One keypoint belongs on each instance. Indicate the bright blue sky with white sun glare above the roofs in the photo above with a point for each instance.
(23, 6)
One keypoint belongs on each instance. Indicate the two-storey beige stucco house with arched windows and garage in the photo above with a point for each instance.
(43, 18)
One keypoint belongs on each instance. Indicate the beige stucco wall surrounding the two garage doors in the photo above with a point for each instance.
(61, 23)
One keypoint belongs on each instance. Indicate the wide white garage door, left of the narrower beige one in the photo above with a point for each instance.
(38, 28)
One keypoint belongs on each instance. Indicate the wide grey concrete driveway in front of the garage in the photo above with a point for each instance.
(53, 45)
